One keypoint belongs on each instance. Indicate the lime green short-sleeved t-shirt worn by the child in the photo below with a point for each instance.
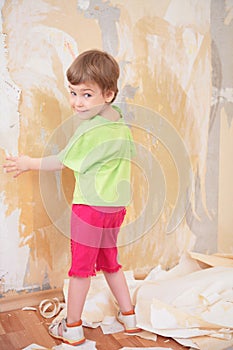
(100, 154)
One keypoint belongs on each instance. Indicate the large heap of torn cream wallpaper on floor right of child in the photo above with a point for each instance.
(192, 305)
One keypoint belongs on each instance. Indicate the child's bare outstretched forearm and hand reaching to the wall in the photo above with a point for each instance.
(20, 164)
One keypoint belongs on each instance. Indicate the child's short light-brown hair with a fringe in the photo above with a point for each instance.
(95, 66)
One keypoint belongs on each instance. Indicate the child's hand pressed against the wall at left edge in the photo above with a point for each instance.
(18, 165)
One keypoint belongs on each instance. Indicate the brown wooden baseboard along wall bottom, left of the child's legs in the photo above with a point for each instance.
(14, 302)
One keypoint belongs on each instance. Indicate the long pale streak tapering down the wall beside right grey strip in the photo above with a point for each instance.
(197, 61)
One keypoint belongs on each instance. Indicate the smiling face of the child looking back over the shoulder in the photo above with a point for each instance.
(88, 100)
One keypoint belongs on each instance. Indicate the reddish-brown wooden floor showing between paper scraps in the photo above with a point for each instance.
(19, 328)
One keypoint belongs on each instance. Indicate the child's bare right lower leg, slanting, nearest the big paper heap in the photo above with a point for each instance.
(119, 288)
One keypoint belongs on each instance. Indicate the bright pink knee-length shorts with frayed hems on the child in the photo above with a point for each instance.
(94, 232)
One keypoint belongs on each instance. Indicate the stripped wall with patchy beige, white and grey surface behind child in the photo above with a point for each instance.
(176, 94)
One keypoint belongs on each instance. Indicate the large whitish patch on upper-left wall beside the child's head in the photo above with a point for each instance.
(38, 52)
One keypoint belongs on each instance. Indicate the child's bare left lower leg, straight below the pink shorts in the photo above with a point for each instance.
(78, 289)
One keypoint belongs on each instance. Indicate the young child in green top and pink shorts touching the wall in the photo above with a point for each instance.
(99, 153)
